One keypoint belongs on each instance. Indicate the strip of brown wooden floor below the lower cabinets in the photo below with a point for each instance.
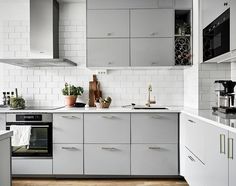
(98, 182)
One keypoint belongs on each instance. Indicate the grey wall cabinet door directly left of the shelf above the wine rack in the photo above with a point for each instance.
(149, 23)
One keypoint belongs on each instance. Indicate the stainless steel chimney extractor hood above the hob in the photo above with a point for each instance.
(44, 37)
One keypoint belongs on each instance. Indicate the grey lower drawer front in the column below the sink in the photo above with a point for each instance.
(154, 159)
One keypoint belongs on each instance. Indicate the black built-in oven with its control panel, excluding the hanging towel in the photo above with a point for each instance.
(40, 144)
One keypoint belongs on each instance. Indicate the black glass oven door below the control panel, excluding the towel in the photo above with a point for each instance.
(40, 141)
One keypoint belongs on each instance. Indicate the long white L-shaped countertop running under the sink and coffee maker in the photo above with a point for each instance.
(205, 115)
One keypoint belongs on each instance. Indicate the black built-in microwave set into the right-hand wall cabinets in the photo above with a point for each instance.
(216, 37)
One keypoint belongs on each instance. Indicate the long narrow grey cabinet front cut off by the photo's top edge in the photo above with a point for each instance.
(121, 4)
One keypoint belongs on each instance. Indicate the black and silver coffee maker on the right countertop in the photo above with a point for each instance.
(225, 96)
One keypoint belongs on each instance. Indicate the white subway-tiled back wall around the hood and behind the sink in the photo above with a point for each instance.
(42, 86)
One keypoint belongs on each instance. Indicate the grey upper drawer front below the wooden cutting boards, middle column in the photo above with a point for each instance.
(107, 128)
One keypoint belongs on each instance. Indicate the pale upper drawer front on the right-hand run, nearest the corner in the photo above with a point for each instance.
(194, 141)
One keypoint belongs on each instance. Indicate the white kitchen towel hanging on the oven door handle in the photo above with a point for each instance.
(21, 135)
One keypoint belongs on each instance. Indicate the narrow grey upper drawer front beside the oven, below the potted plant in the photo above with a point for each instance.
(68, 128)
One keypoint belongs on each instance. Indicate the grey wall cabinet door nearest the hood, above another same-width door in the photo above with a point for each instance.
(108, 23)
